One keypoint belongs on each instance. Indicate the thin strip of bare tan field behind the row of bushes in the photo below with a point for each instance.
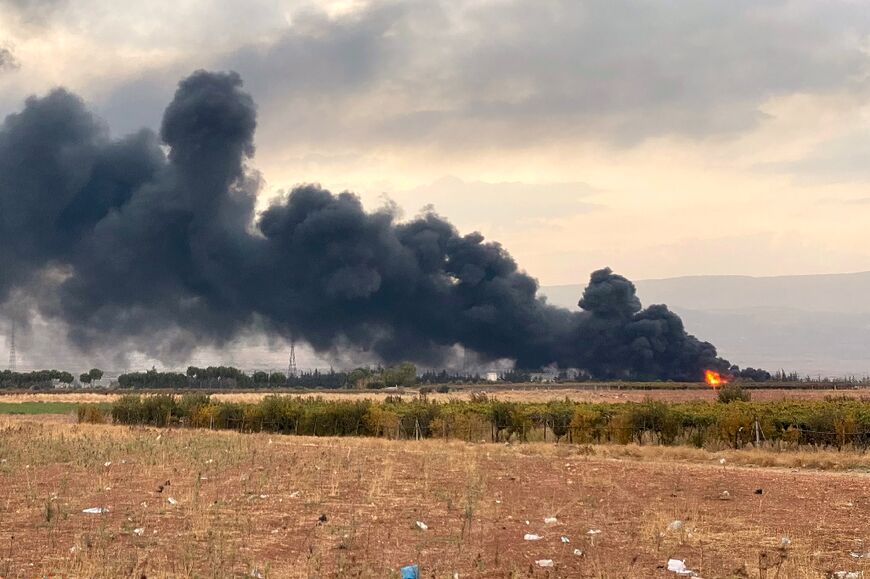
(541, 394)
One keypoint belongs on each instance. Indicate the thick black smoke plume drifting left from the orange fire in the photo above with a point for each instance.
(126, 243)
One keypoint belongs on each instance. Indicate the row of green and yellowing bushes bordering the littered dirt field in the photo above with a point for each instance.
(735, 423)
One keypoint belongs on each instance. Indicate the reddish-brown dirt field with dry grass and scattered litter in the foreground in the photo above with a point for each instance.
(248, 505)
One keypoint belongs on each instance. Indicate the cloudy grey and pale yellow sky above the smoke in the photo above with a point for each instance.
(660, 138)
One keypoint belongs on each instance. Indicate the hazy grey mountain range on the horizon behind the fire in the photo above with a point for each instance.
(813, 324)
